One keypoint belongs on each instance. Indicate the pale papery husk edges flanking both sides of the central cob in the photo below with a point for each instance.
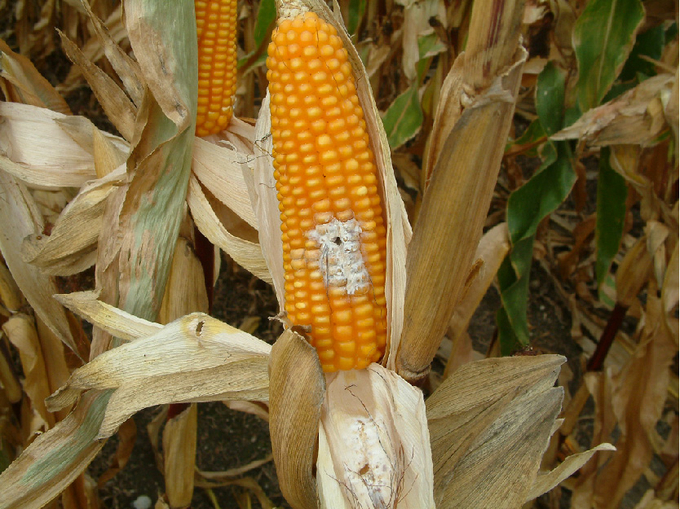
(396, 220)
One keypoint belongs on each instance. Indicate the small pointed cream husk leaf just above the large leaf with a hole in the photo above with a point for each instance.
(118, 323)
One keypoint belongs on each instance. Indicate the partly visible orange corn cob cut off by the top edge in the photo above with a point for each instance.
(216, 27)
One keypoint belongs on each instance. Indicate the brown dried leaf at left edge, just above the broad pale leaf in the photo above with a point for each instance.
(22, 83)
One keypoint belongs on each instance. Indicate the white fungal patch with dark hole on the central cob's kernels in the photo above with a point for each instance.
(341, 261)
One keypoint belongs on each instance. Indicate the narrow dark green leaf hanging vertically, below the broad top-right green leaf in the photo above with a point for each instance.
(611, 211)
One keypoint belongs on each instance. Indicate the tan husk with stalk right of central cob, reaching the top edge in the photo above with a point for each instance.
(467, 143)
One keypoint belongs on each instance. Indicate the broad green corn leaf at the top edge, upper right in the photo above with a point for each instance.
(603, 38)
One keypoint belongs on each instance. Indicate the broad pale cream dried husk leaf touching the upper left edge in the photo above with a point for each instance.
(38, 151)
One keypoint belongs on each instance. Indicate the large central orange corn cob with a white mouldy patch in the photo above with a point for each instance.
(331, 215)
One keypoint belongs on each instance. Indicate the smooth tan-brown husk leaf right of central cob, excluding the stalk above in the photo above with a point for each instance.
(451, 220)
